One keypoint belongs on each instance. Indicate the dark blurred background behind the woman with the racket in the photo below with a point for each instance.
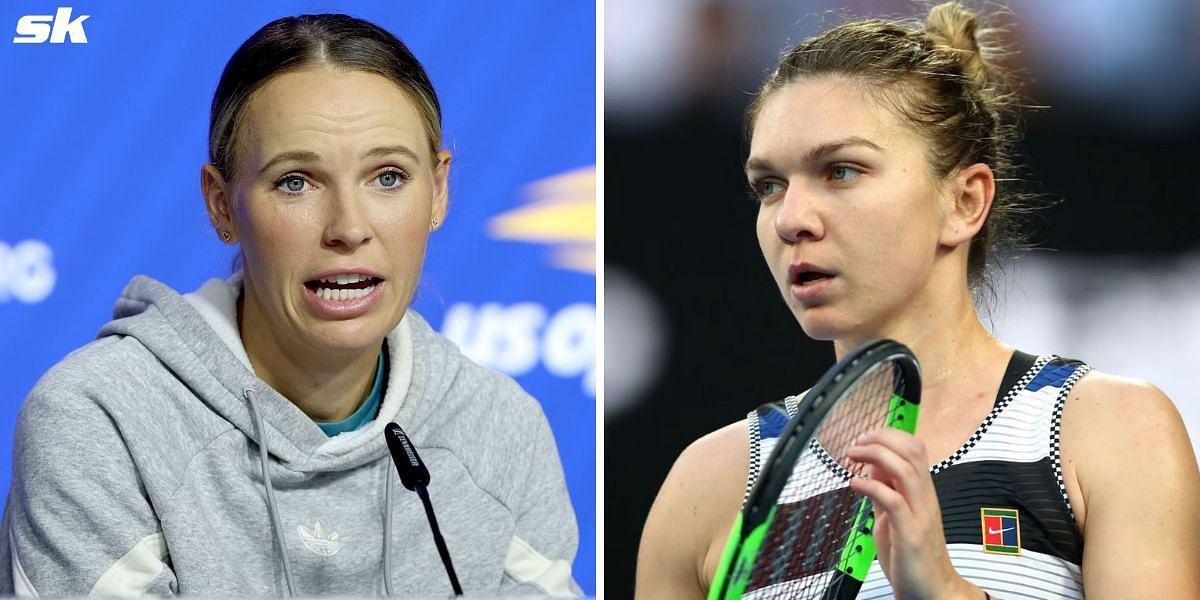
(695, 332)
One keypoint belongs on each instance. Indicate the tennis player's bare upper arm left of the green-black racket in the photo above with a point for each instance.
(693, 514)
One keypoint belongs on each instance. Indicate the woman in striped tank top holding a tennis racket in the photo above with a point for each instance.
(878, 157)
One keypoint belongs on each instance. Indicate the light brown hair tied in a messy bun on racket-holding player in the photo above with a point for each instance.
(941, 77)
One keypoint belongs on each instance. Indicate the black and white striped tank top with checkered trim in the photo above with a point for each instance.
(1009, 524)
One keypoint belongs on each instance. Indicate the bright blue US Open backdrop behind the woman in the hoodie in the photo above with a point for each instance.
(106, 124)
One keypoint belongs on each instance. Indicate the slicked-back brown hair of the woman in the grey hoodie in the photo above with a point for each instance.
(309, 41)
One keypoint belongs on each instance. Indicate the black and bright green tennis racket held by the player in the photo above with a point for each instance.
(803, 532)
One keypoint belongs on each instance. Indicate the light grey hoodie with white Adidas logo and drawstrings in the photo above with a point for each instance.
(140, 463)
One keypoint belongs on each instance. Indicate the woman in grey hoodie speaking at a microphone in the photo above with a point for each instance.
(230, 442)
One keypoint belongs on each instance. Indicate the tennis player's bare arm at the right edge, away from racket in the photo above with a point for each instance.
(1141, 488)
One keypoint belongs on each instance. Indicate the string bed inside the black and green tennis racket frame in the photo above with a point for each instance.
(817, 512)
